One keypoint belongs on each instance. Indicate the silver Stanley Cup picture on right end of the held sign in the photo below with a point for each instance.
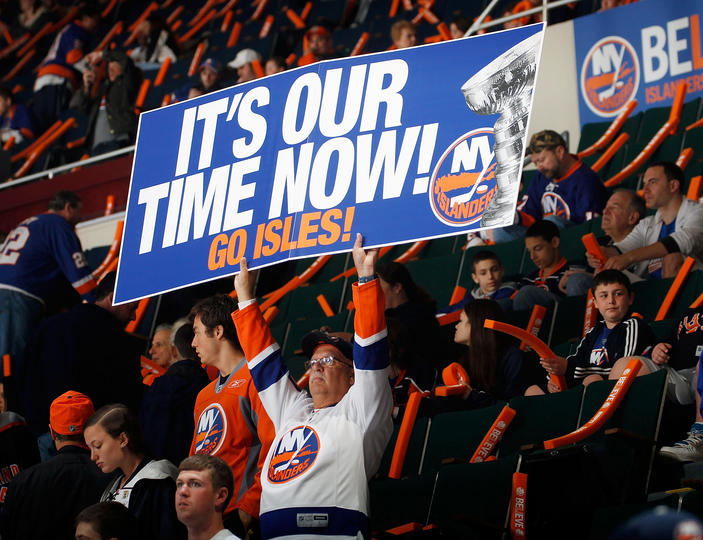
(505, 86)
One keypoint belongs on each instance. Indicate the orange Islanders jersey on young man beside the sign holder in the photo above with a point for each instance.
(231, 423)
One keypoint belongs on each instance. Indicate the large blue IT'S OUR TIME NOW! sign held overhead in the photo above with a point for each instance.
(398, 146)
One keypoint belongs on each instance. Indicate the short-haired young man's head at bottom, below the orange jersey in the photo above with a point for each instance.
(204, 487)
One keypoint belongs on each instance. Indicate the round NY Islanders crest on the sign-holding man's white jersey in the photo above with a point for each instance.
(295, 454)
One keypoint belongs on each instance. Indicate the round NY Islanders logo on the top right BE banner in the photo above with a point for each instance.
(610, 76)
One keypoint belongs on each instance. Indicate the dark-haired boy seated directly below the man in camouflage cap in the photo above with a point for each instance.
(543, 285)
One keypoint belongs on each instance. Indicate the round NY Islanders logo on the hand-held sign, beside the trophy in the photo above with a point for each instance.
(463, 182)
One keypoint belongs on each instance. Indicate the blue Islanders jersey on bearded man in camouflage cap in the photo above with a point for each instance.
(575, 197)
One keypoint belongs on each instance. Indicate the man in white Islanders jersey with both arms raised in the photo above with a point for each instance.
(328, 444)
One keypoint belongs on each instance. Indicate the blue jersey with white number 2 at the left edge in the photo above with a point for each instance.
(37, 252)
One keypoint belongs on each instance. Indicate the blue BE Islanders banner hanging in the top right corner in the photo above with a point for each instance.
(640, 51)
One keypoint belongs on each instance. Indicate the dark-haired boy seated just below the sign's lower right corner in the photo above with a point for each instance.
(487, 273)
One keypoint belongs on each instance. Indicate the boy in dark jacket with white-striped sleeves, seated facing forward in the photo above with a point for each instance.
(618, 336)
